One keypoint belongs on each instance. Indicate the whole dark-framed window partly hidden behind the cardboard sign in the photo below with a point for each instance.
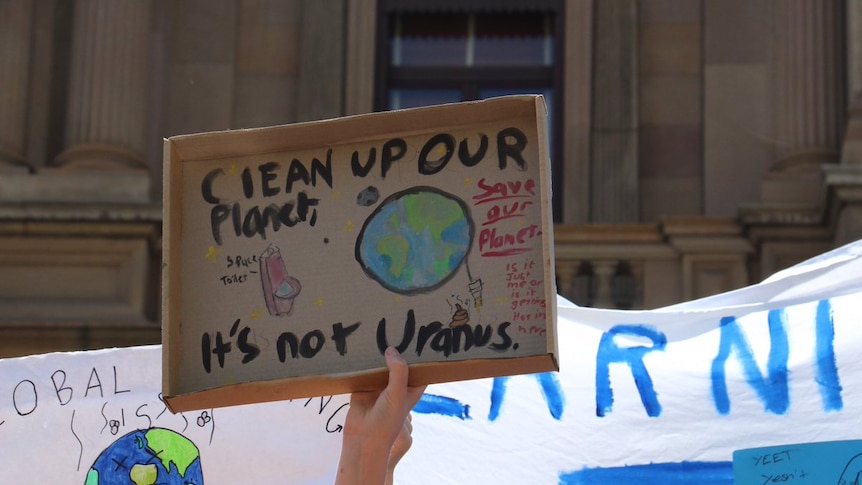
(439, 51)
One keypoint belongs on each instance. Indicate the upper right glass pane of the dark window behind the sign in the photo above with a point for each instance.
(513, 40)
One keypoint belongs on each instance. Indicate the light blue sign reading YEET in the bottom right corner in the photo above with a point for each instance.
(834, 462)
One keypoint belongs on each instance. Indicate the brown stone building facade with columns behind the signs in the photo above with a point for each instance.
(700, 145)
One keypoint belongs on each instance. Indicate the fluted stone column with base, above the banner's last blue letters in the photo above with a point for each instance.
(809, 99)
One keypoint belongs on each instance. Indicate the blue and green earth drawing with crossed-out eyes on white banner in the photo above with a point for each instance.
(148, 457)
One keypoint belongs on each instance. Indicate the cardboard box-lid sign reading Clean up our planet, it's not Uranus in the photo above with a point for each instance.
(294, 255)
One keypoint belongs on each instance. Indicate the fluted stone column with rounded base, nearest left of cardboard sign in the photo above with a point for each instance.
(106, 113)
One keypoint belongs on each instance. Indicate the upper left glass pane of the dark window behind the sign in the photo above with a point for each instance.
(429, 40)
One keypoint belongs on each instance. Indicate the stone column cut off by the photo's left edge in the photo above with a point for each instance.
(16, 23)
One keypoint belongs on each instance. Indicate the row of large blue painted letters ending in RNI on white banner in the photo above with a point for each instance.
(772, 388)
